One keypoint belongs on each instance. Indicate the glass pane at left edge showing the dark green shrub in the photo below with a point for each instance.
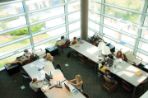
(13, 35)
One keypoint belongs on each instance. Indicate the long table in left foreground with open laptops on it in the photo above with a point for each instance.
(37, 69)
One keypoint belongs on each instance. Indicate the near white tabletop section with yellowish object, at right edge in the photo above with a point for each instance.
(128, 72)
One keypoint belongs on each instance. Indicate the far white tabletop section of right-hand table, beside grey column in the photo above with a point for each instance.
(87, 49)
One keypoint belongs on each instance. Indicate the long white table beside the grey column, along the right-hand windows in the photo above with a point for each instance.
(124, 70)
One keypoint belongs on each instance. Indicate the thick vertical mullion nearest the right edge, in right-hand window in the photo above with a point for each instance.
(141, 22)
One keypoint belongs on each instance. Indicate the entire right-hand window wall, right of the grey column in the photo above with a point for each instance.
(121, 22)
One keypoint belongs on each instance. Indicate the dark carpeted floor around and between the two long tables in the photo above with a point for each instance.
(10, 86)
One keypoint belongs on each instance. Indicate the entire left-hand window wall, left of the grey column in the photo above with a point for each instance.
(35, 24)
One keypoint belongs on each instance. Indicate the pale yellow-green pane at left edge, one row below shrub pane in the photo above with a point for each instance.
(14, 46)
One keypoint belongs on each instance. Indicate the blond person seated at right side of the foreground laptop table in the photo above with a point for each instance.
(77, 81)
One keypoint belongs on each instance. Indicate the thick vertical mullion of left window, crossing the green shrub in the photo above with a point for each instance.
(28, 23)
